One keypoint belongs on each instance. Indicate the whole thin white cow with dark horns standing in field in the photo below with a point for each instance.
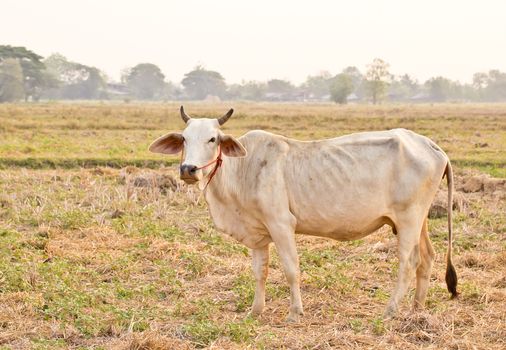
(262, 188)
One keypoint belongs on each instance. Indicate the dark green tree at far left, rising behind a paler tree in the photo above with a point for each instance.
(34, 77)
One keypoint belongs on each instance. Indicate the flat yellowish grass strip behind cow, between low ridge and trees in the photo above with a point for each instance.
(72, 135)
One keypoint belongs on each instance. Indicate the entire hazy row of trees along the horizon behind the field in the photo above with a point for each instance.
(25, 75)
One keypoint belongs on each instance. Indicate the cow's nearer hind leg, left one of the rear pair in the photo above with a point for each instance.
(408, 233)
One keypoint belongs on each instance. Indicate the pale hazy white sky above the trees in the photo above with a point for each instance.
(259, 40)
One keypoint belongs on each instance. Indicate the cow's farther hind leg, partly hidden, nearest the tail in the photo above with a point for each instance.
(423, 271)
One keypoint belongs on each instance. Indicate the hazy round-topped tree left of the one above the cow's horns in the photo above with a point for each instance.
(145, 80)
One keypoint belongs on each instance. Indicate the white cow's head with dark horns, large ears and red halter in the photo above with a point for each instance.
(200, 140)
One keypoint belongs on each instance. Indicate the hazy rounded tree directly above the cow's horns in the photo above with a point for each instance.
(200, 82)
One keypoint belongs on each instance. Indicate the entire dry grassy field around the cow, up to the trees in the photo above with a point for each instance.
(102, 247)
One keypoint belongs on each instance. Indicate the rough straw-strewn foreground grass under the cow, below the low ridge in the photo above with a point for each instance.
(89, 260)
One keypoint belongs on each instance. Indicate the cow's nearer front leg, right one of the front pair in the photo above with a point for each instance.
(284, 239)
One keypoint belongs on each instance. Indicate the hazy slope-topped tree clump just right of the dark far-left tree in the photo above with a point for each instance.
(75, 80)
